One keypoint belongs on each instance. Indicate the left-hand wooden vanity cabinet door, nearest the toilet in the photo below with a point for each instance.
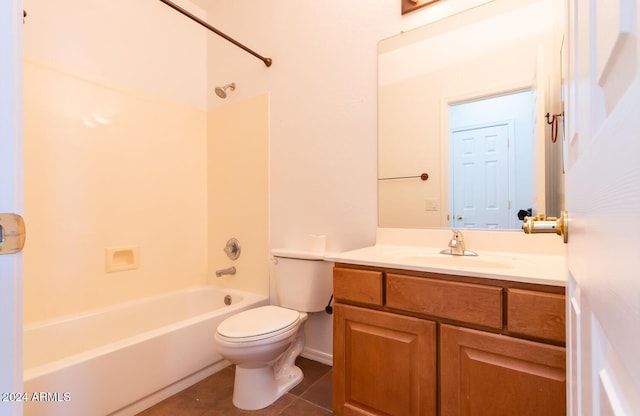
(383, 364)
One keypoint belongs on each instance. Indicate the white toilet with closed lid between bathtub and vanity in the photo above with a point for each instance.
(264, 342)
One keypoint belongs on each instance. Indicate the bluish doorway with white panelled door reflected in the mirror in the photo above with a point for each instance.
(491, 175)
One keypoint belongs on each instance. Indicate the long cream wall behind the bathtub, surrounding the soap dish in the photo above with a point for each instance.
(114, 152)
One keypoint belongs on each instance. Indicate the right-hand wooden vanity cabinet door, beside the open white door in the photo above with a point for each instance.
(484, 374)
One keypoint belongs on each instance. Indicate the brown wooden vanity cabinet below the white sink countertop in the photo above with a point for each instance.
(418, 343)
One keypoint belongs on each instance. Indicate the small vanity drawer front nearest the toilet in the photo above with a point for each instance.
(362, 286)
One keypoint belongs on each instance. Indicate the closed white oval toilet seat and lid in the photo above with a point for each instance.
(258, 323)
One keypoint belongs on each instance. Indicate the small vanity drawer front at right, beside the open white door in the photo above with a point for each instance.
(536, 314)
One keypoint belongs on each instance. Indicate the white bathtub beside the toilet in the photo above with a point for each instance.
(125, 358)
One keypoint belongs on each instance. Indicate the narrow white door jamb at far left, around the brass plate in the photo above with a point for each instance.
(10, 201)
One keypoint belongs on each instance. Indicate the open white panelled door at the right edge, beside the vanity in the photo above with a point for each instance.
(603, 201)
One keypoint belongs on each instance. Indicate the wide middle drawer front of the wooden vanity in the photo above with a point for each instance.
(464, 302)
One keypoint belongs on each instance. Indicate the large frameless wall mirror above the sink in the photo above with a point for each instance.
(463, 141)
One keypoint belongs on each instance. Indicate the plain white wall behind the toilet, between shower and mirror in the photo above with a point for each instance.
(323, 111)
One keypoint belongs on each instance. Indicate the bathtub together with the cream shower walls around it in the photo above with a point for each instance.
(121, 156)
